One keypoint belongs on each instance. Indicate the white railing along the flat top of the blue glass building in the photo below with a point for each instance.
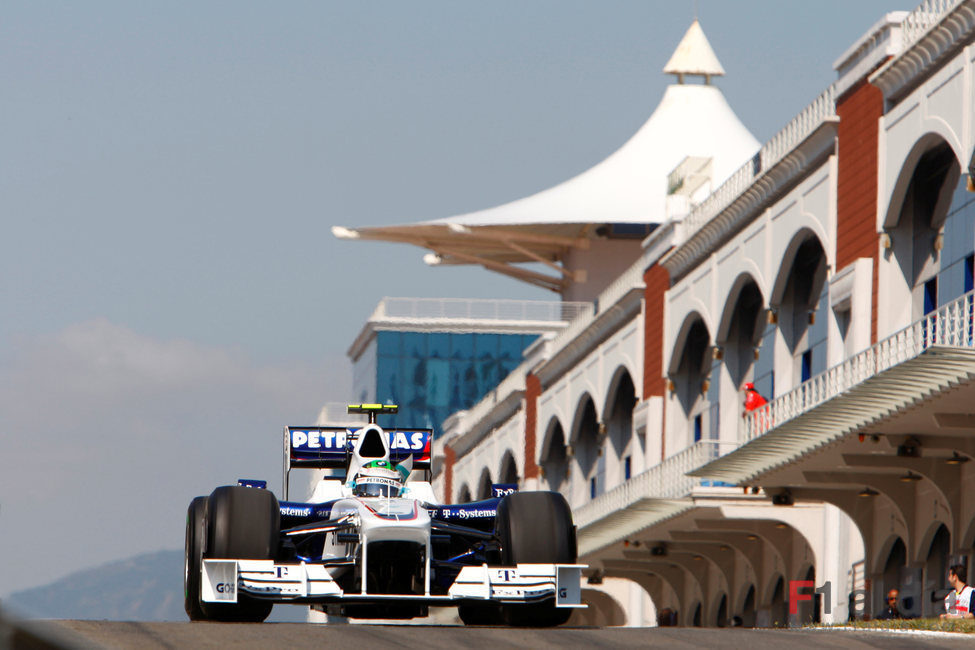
(547, 311)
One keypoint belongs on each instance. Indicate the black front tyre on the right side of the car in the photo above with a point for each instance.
(536, 527)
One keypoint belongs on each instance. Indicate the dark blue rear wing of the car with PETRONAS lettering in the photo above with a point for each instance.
(330, 448)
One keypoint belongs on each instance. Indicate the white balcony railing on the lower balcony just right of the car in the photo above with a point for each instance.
(668, 480)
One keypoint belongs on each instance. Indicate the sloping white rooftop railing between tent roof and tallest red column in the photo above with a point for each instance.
(771, 153)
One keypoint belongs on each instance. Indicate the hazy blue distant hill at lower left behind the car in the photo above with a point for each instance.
(142, 588)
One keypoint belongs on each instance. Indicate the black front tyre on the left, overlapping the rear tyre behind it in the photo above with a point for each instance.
(242, 524)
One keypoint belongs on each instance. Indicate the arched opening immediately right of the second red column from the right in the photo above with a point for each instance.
(691, 378)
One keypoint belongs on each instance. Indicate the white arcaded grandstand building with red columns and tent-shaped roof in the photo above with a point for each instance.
(831, 266)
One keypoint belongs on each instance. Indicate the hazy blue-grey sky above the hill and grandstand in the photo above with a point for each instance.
(170, 292)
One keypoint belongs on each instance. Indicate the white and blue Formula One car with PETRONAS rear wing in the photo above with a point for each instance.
(375, 544)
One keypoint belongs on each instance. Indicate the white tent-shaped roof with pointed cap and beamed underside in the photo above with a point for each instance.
(629, 186)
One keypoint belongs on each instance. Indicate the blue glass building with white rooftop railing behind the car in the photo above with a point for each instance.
(438, 356)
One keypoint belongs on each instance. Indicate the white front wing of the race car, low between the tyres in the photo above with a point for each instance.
(223, 580)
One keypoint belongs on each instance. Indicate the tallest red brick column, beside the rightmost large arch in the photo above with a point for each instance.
(859, 110)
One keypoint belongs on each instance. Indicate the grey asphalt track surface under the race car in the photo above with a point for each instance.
(108, 634)
